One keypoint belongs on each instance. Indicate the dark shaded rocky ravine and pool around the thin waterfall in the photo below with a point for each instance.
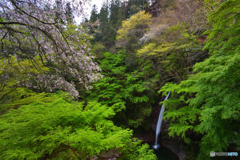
(168, 144)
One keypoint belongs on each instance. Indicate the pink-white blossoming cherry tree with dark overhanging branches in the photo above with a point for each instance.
(36, 30)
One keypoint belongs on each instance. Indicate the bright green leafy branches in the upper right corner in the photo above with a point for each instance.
(225, 27)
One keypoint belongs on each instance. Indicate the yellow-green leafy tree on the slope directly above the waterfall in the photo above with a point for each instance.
(170, 53)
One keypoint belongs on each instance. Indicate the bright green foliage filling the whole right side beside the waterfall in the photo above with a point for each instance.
(209, 100)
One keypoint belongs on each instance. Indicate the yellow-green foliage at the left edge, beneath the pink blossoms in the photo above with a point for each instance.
(12, 71)
